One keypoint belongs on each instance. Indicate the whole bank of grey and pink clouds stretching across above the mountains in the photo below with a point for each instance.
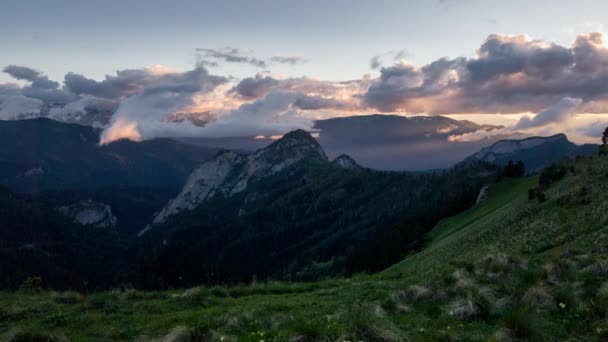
(509, 74)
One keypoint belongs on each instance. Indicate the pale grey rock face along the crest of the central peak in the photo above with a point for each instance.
(229, 173)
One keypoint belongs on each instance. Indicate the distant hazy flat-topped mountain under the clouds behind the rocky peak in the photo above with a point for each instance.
(379, 141)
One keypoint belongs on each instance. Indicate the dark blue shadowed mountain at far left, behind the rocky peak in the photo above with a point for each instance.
(66, 164)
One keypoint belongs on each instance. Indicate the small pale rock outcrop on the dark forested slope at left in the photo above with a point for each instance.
(90, 213)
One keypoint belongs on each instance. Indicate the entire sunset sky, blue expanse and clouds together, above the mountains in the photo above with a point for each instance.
(243, 64)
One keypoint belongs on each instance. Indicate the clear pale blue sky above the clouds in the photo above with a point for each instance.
(337, 37)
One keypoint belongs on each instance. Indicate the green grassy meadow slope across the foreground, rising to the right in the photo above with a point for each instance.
(509, 268)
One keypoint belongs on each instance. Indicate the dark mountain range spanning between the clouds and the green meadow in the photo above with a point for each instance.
(170, 214)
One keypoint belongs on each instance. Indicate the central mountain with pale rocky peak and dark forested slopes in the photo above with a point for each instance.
(288, 211)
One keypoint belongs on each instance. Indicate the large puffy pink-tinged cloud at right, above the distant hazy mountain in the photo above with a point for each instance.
(510, 74)
